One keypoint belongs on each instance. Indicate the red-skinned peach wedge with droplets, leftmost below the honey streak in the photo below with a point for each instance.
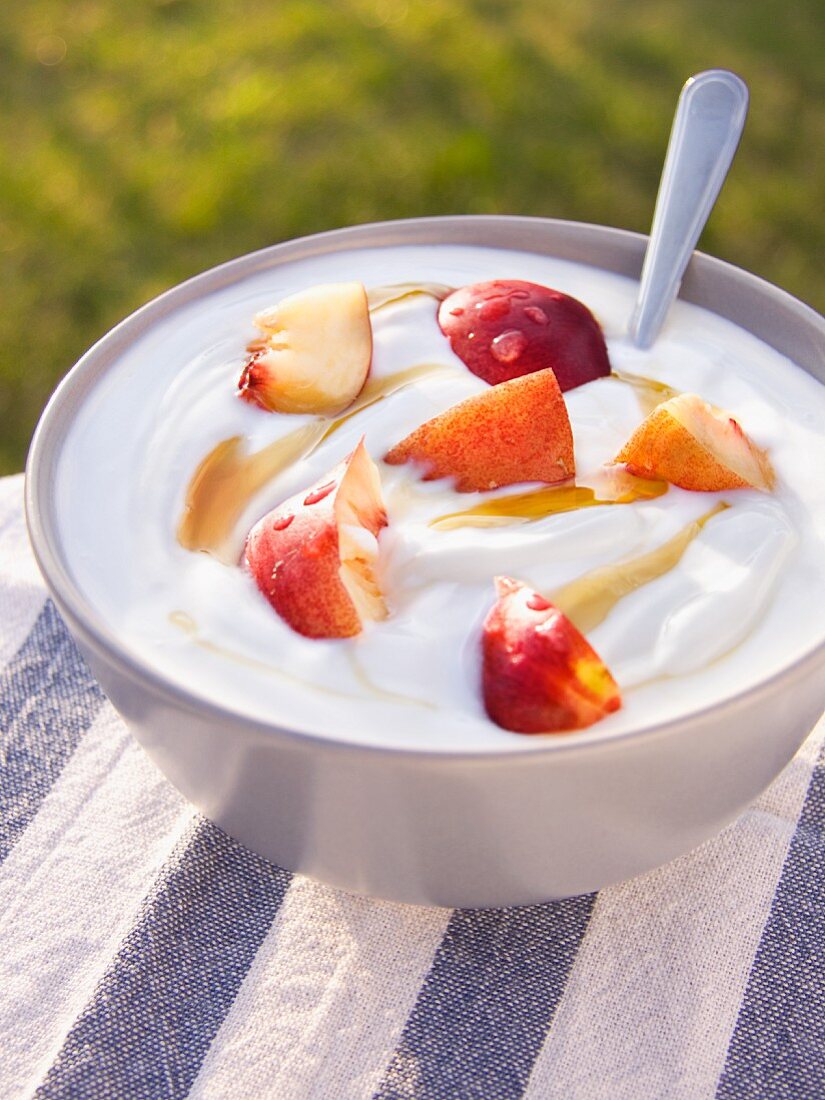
(314, 556)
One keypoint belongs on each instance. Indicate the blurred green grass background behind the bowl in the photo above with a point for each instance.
(141, 144)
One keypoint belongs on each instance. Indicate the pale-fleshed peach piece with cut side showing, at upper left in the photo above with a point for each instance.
(315, 353)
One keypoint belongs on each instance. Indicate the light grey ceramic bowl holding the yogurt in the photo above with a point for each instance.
(457, 829)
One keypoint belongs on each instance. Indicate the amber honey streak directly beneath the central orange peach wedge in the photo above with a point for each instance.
(620, 488)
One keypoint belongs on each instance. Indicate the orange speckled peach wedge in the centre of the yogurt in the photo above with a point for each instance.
(519, 432)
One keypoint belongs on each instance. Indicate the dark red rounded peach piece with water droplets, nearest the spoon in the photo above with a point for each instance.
(548, 329)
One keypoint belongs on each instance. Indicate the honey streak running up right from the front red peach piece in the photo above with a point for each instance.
(588, 601)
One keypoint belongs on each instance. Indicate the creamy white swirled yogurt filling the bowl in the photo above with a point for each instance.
(746, 599)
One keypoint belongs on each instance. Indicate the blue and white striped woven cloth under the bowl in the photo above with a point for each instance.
(145, 954)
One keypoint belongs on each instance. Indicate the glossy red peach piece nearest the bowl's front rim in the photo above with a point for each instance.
(540, 675)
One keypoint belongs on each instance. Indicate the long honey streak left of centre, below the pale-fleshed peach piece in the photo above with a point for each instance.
(227, 479)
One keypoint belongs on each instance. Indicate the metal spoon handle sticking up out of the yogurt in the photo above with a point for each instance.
(707, 129)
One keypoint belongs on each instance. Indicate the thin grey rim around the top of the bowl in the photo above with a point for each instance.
(47, 445)
